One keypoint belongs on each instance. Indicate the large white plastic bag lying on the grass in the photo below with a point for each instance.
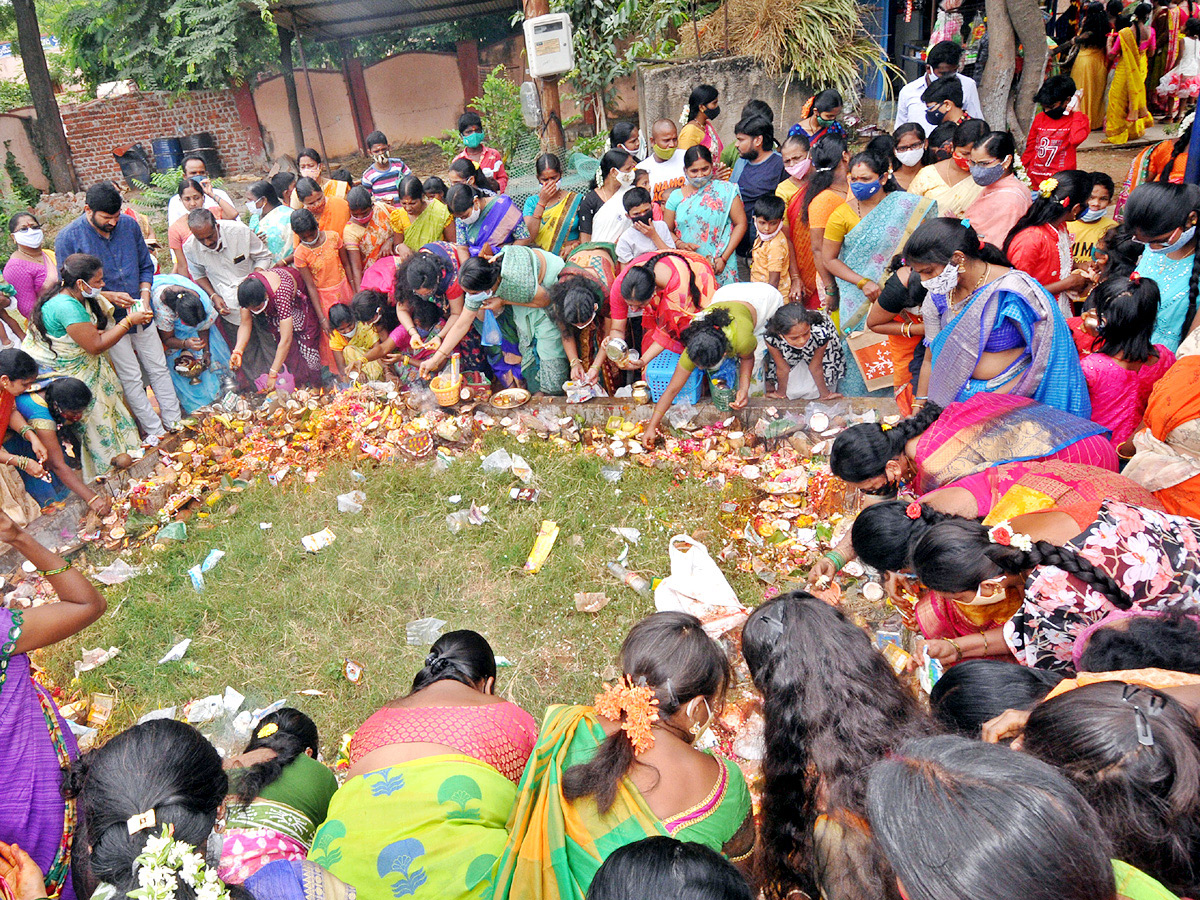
(698, 586)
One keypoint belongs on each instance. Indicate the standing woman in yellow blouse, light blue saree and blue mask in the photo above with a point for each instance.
(861, 239)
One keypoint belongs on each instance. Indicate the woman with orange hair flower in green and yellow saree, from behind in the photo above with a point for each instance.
(627, 769)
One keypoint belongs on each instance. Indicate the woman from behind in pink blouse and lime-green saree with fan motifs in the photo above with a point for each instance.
(433, 782)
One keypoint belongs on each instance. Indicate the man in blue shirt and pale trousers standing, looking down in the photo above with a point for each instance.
(104, 232)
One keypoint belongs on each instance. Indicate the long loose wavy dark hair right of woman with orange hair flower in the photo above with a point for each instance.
(833, 709)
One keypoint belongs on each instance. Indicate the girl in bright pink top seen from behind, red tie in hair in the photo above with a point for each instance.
(1123, 371)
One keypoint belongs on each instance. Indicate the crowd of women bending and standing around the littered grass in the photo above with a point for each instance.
(1035, 517)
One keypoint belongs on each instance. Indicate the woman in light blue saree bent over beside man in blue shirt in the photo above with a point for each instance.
(185, 316)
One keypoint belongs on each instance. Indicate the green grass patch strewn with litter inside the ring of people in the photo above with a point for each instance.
(275, 620)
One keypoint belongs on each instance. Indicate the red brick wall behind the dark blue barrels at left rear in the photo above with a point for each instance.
(98, 128)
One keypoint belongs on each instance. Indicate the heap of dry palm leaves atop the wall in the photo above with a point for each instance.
(821, 43)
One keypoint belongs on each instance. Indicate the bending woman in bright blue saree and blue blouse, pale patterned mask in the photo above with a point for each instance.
(991, 328)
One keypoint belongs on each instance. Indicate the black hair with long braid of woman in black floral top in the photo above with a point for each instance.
(958, 556)
